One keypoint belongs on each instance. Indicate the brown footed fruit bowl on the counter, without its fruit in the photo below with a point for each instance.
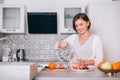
(110, 72)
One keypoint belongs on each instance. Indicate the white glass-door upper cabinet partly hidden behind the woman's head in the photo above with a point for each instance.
(66, 15)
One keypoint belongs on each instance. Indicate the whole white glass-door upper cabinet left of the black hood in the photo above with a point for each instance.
(12, 18)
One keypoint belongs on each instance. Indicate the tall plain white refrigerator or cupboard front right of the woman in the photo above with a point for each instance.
(105, 21)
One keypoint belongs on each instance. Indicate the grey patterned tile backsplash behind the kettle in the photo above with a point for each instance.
(38, 47)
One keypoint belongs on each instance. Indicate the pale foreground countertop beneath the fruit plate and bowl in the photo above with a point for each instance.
(93, 74)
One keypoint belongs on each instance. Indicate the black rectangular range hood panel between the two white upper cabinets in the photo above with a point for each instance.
(42, 22)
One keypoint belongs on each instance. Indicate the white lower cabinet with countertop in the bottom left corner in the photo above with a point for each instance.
(18, 70)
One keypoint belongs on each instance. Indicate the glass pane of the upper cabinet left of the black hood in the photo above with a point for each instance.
(11, 20)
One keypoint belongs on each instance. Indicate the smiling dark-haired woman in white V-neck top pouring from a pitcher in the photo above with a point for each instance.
(88, 47)
